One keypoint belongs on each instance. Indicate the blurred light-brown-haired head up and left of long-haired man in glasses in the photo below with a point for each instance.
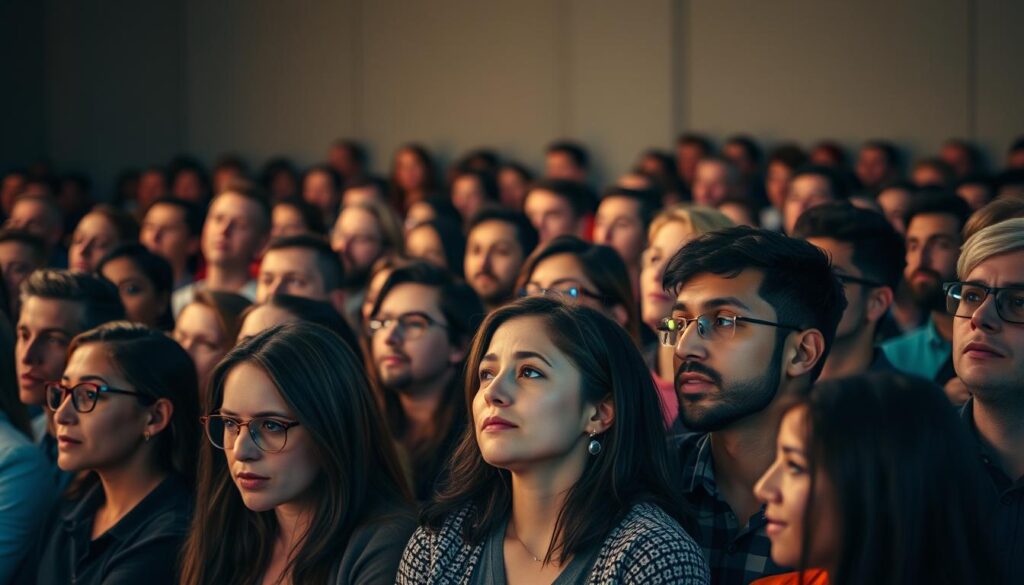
(364, 233)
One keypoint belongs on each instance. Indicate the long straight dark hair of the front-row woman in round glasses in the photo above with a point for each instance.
(322, 382)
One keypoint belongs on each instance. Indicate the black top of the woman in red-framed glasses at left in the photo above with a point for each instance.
(143, 548)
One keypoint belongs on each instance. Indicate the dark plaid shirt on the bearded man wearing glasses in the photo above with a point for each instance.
(737, 555)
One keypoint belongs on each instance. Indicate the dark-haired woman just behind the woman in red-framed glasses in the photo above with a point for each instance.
(144, 281)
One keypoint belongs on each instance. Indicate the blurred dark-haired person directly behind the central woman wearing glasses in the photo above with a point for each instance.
(559, 207)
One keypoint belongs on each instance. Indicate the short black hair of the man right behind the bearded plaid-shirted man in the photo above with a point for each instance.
(878, 249)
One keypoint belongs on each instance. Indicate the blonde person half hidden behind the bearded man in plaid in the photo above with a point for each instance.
(669, 232)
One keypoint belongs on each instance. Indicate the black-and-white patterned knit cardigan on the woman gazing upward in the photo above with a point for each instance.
(648, 547)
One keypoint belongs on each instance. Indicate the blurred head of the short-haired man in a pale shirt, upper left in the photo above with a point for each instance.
(237, 227)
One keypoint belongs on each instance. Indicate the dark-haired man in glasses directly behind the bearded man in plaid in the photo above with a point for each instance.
(868, 258)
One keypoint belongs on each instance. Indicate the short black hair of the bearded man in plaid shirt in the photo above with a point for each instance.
(799, 282)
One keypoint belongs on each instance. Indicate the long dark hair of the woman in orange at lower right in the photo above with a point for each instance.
(906, 480)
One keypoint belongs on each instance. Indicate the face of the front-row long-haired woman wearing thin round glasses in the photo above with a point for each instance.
(266, 481)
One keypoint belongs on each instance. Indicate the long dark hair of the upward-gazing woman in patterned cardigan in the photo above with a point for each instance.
(634, 465)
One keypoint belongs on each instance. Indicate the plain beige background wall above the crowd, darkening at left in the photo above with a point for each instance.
(103, 87)
